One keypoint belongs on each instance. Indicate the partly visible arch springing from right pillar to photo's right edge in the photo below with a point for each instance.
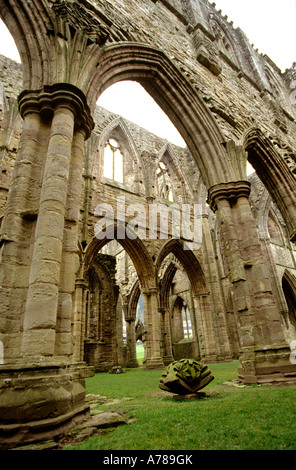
(274, 174)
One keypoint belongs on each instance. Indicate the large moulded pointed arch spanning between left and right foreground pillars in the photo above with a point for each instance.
(175, 95)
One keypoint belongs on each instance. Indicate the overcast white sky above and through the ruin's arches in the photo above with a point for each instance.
(269, 24)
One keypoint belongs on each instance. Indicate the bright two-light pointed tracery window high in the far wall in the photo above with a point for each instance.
(113, 161)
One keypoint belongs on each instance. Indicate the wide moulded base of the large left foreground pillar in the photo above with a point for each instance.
(39, 402)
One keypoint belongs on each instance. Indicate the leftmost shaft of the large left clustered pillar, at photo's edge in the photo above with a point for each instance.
(17, 231)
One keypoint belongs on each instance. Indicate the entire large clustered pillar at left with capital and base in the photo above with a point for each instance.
(40, 260)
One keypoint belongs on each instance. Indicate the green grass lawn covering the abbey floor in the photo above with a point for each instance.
(229, 418)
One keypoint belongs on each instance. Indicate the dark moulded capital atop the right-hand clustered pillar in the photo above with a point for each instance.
(230, 191)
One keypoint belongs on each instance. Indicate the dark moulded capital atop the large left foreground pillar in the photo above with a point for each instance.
(46, 100)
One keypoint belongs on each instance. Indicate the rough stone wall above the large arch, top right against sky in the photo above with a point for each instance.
(241, 86)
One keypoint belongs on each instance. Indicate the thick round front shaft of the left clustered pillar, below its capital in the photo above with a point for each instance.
(42, 299)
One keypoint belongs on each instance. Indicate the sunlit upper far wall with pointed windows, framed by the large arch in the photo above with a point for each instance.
(142, 152)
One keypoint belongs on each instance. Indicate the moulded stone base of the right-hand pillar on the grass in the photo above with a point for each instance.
(267, 365)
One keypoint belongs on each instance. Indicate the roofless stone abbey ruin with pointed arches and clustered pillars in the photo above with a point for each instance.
(74, 300)
